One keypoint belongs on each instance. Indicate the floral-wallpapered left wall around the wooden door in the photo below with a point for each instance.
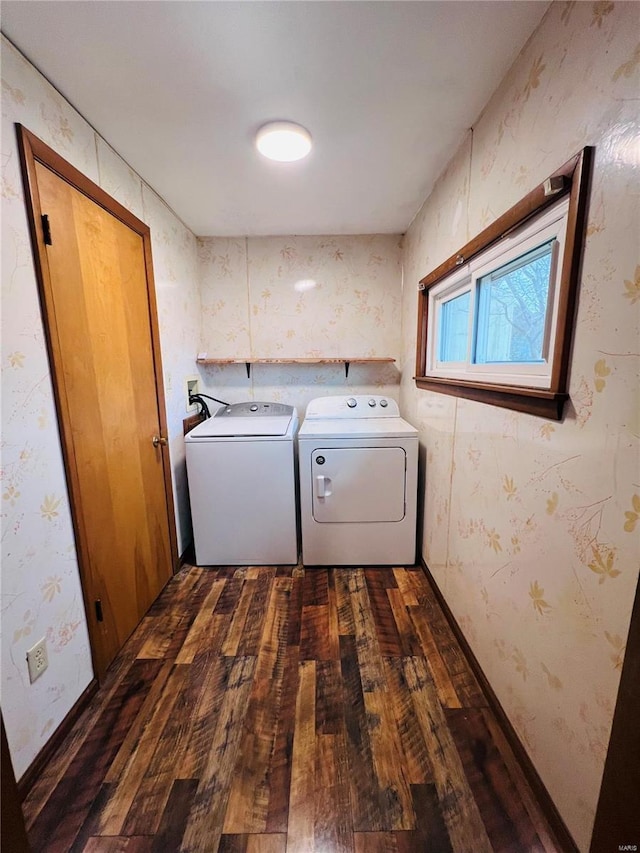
(41, 594)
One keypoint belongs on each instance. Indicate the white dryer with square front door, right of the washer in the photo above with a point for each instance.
(358, 483)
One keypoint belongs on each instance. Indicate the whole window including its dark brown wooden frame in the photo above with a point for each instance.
(495, 320)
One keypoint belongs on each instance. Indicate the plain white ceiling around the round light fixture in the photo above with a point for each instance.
(179, 88)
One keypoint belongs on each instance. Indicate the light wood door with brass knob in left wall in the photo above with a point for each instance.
(94, 276)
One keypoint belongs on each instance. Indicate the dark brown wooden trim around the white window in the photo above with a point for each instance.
(574, 178)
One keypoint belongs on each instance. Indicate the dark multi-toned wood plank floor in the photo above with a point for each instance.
(280, 710)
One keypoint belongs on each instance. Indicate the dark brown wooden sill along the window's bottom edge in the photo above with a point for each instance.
(532, 401)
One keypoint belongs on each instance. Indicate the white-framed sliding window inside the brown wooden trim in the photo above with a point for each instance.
(494, 317)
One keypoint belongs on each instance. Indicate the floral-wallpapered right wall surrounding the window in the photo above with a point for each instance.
(531, 526)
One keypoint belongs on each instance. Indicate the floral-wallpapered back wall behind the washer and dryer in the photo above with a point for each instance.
(300, 297)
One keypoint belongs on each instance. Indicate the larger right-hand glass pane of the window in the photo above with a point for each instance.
(512, 309)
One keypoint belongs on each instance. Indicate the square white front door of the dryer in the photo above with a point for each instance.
(358, 484)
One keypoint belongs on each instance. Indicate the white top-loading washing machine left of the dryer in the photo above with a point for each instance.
(242, 485)
